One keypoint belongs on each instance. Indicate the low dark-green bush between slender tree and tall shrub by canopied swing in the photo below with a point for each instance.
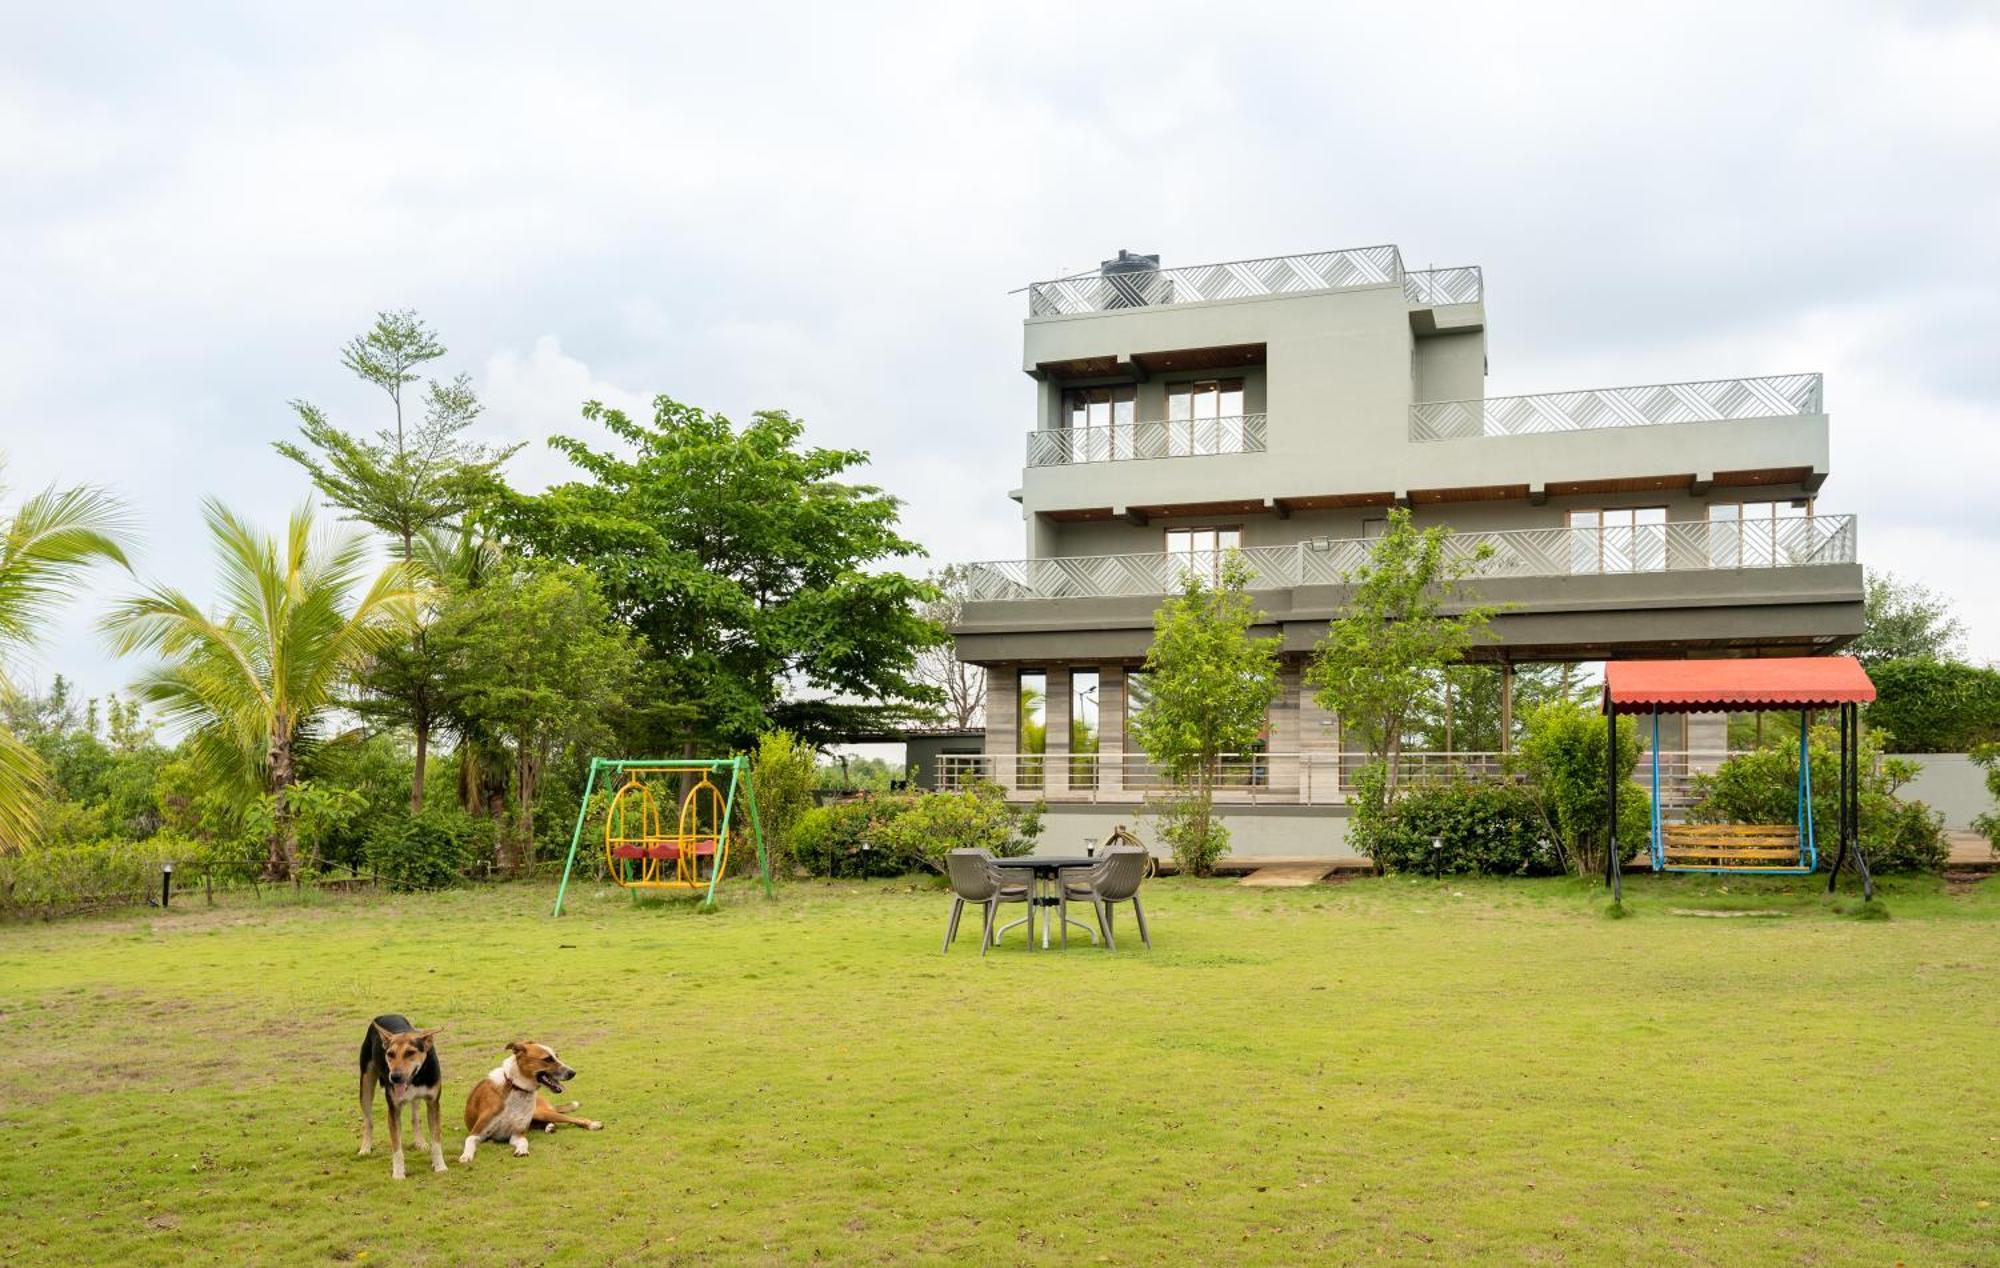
(1461, 827)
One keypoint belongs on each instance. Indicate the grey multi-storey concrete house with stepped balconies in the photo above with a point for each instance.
(1279, 407)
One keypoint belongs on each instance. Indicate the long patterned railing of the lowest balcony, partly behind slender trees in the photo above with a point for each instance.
(1689, 547)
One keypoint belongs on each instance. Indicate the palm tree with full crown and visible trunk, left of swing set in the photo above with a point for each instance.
(251, 683)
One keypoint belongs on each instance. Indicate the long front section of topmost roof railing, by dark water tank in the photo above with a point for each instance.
(1203, 283)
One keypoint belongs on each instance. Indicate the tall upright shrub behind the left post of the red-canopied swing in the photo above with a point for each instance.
(1565, 767)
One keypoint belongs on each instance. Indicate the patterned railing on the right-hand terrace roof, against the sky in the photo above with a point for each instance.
(1725, 399)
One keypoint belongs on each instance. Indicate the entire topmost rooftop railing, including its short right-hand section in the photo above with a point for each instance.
(1139, 281)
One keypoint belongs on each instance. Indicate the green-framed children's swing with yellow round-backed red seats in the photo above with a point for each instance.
(639, 849)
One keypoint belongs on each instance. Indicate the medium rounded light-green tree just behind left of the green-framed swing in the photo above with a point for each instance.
(537, 665)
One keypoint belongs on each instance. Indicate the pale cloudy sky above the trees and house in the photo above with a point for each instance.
(825, 209)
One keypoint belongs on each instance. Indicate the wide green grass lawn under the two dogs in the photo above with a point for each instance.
(1401, 1069)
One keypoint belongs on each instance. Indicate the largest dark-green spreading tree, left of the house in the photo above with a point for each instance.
(753, 573)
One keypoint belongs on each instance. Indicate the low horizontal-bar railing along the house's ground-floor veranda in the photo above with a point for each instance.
(1297, 779)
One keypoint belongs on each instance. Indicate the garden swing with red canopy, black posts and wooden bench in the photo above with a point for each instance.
(1705, 687)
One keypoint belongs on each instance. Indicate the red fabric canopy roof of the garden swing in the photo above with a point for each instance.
(1703, 687)
